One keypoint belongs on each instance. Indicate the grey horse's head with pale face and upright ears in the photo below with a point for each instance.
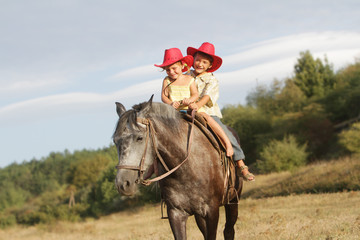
(133, 143)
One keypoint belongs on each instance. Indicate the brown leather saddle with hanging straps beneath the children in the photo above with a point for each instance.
(226, 162)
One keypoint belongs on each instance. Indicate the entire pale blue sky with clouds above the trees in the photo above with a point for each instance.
(63, 63)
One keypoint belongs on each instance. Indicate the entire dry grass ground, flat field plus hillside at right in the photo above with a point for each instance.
(285, 215)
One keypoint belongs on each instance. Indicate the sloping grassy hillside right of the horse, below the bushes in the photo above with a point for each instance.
(322, 177)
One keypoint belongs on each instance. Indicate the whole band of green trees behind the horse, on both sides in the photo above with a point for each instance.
(310, 116)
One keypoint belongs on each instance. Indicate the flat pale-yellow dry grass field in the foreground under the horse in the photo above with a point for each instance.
(316, 216)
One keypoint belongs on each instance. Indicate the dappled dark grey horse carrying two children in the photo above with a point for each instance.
(191, 172)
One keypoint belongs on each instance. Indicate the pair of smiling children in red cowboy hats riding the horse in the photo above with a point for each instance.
(182, 92)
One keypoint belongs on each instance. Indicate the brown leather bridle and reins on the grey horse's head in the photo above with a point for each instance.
(150, 132)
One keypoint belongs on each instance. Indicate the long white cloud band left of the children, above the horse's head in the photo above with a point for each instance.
(73, 103)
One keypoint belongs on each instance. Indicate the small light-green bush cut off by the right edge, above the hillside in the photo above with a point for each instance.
(350, 138)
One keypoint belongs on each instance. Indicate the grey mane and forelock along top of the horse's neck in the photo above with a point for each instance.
(158, 110)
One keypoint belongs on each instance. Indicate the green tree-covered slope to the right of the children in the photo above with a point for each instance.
(300, 119)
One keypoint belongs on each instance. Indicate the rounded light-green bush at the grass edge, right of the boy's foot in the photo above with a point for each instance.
(282, 155)
